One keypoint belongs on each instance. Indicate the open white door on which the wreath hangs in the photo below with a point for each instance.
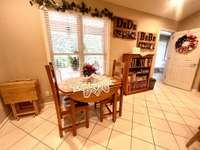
(181, 68)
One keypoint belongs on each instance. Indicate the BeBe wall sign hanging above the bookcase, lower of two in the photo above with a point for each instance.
(146, 41)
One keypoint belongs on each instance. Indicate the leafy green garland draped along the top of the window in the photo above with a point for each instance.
(72, 6)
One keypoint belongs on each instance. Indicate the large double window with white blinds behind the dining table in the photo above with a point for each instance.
(76, 40)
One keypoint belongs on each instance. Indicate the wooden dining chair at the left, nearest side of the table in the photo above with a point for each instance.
(63, 108)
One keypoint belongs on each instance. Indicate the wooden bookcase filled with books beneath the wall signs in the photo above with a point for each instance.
(136, 72)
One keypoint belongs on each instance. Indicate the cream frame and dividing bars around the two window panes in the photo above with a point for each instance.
(80, 53)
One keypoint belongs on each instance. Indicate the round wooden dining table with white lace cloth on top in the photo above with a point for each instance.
(92, 88)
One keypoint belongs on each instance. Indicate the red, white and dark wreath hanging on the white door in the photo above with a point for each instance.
(186, 44)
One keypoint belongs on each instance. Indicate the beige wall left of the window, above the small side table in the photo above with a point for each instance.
(22, 42)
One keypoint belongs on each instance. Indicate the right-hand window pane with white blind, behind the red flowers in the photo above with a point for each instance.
(93, 39)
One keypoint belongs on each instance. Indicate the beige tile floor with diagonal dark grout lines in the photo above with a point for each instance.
(161, 119)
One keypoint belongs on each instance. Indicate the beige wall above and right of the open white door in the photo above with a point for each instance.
(192, 22)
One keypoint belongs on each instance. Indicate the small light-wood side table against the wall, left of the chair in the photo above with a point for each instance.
(22, 96)
